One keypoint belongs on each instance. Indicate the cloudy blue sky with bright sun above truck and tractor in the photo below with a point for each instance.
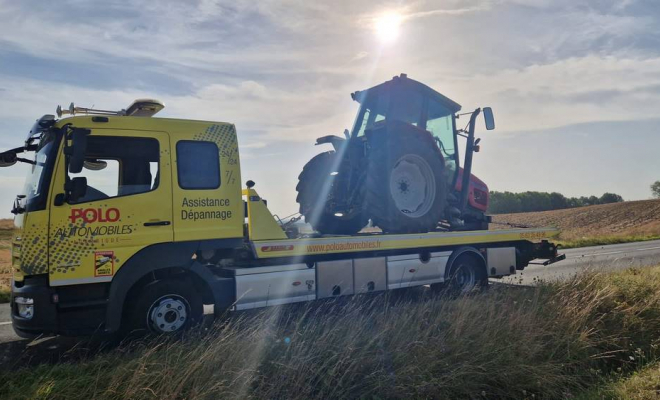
(574, 84)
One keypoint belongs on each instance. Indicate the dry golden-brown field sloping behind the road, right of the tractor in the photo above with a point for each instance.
(615, 222)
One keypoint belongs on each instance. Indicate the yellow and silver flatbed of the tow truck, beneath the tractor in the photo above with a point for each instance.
(285, 270)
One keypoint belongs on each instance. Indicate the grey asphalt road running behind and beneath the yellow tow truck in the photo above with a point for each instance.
(601, 258)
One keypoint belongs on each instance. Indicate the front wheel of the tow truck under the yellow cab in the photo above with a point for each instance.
(164, 307)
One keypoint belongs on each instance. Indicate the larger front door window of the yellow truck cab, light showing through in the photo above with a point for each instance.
(118, 166)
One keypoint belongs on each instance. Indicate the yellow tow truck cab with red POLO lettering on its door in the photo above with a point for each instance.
(143, 187)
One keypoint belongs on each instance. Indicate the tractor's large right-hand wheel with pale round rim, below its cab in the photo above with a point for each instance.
(405, 185)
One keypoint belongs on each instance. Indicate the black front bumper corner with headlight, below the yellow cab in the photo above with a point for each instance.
(42, 317)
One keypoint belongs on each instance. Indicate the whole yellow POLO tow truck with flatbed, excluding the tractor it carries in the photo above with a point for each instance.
(129, 222)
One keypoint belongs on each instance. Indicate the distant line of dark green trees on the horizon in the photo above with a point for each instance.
(507, 202)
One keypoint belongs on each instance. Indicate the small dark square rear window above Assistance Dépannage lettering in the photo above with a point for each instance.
(198, 165)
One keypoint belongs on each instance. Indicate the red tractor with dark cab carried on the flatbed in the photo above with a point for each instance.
(399, 166)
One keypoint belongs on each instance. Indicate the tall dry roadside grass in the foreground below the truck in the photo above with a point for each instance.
(550, 341)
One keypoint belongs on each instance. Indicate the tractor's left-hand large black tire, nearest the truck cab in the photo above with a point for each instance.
(315, 189)
